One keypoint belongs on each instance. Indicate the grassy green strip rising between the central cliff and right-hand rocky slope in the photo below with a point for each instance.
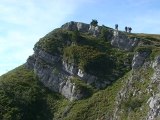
(100, 104)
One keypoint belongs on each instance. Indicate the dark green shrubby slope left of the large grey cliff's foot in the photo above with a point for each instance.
(22, 97)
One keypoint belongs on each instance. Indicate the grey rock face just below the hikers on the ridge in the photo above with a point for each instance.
(121, 41)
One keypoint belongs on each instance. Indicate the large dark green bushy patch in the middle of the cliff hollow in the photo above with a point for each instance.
(89, 60)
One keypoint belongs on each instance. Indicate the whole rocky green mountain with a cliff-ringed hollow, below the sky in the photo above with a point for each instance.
(85, 72)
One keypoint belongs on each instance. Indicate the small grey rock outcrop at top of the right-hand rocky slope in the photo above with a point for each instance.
(139, 59)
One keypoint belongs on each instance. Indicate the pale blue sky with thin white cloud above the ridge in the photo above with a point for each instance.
(24, 22)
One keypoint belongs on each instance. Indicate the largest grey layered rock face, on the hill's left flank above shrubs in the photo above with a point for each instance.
(46, 67)
